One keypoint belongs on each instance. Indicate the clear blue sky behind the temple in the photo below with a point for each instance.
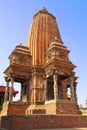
(71, 16)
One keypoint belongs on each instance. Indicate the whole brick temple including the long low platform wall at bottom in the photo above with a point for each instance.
(48, 82)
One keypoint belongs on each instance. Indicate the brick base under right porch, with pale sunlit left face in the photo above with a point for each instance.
(62, 107)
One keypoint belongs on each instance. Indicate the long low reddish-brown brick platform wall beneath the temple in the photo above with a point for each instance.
(23, 122)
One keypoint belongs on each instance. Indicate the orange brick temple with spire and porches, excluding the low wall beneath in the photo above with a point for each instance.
(42, 67)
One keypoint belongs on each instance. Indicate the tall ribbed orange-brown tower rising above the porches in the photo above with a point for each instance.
(43, 29)
